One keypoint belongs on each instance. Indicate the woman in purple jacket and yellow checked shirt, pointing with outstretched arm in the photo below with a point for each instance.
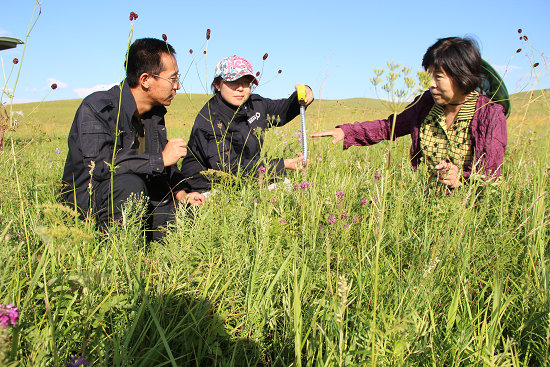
(454, 129)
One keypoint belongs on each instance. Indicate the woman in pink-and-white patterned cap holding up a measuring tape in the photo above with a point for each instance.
(227, 134)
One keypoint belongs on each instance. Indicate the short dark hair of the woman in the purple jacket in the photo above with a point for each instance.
(459, 58)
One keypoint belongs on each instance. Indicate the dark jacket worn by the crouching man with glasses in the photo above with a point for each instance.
(92, 138)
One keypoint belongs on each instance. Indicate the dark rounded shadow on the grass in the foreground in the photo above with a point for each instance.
(185, 330)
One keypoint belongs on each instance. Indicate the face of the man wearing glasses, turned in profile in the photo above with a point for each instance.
(163, 87)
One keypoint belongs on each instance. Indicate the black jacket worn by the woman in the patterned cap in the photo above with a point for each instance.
(230, 139)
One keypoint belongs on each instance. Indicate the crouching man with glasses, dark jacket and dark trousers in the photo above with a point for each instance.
(116, 152)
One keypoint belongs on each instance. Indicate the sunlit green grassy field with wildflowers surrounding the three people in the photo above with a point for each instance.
(351, 270)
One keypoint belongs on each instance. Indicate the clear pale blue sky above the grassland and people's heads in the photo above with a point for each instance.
(333, 46)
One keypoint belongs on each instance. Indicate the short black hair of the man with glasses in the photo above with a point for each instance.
(144, 57)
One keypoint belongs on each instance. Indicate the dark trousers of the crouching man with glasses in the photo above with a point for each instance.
(161, 208)
